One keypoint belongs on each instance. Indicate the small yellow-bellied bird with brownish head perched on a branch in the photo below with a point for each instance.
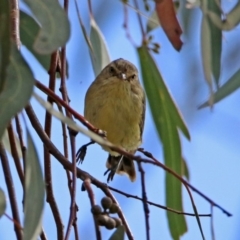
(115, 103)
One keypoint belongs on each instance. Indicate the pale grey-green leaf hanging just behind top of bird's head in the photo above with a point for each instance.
(99, 57)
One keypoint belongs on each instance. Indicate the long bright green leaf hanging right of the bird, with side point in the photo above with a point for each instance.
(167, 120)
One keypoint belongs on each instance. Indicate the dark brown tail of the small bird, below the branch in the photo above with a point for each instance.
(121, 165)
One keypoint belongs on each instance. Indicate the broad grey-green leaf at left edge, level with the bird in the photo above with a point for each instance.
(17, 90)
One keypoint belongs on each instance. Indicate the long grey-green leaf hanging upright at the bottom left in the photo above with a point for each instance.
(34, 193)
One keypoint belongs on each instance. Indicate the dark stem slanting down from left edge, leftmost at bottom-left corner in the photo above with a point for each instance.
(11, 190)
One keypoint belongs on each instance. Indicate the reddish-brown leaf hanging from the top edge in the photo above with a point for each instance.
(167, 17)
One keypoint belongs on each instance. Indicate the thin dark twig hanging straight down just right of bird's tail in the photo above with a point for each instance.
(144, 197)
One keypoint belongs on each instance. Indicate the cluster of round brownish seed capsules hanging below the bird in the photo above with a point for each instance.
(102, 215)
